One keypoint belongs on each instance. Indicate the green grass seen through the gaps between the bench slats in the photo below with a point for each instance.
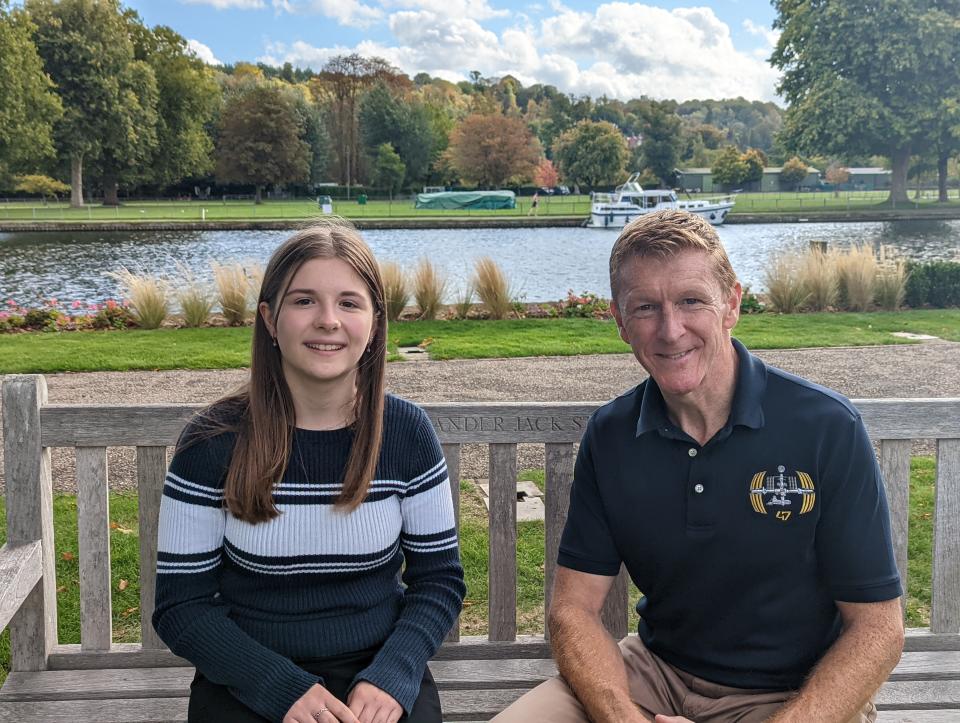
(124, 545)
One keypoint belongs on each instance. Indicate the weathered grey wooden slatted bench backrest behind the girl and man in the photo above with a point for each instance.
(32, 427)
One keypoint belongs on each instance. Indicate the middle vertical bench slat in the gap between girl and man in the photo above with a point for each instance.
(502, 585)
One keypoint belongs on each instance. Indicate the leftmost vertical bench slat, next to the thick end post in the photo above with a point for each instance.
(93, 524)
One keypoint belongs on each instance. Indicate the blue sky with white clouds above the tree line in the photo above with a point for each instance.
(660, 48)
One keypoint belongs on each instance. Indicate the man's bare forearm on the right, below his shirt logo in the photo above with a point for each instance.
(851, 671)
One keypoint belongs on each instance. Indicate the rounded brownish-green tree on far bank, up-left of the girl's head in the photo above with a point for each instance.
(260, 140)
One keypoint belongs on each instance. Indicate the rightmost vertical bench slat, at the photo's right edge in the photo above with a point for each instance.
(945, 602)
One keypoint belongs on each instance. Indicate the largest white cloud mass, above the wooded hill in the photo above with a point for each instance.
(619, 49)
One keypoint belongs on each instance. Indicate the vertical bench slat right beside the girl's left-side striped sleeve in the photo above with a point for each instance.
(151, 470)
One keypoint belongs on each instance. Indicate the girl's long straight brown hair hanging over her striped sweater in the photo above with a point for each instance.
(264, 405)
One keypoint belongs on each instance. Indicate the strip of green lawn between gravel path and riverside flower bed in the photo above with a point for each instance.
(228, 348)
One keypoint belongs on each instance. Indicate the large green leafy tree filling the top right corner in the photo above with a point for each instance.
(863, 77)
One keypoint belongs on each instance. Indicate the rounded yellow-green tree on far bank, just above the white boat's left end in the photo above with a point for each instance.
(591, 153)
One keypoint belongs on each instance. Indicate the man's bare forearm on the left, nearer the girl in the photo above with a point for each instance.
(591, 663)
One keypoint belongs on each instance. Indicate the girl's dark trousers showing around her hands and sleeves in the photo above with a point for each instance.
(212, 703)
